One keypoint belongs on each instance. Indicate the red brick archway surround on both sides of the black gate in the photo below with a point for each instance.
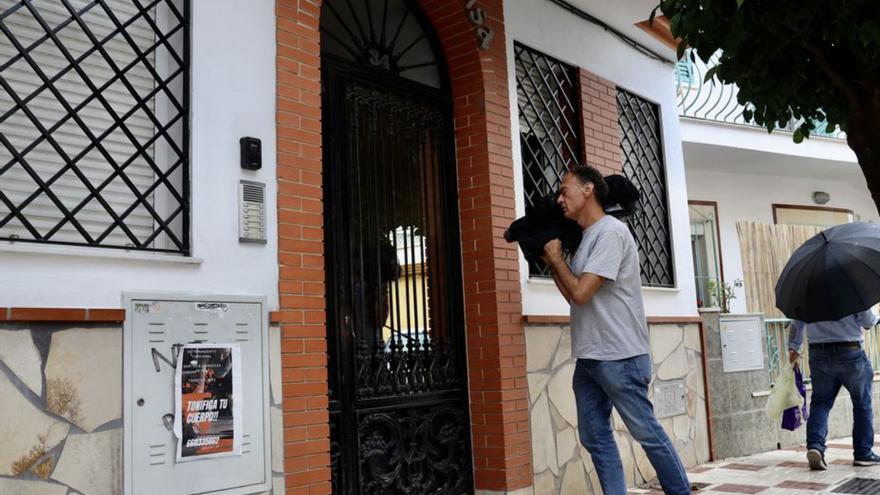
(495, 340)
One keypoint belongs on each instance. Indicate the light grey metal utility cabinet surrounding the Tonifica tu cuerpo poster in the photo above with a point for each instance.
(156, 326)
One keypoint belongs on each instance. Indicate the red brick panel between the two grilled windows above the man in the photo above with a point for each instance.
(601, 133)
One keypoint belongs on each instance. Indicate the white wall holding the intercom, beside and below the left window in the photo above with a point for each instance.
(233, 95)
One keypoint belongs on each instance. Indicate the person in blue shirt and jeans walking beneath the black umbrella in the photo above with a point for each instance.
(837, 359)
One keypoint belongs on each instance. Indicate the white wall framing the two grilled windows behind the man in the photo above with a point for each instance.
(550, 29)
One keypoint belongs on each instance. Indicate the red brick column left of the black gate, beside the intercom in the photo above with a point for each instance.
(301, 250)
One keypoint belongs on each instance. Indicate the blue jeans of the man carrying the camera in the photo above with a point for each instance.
(599, 385)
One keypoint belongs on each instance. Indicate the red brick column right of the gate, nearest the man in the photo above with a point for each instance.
(493, 301)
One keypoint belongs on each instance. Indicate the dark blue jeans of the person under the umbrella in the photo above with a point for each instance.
(829, 369)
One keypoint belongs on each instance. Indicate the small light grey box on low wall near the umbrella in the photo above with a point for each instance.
(742, 342)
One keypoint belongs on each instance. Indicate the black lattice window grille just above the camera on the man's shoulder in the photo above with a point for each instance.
(549, 122)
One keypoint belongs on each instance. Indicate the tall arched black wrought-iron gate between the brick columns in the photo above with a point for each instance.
(398, 394)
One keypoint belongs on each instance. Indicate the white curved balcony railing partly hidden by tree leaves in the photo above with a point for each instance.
(717, 102)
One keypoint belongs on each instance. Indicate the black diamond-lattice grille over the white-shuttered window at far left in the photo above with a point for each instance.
(94, 123)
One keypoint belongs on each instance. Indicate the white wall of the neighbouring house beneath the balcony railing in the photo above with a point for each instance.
(745, 187)
